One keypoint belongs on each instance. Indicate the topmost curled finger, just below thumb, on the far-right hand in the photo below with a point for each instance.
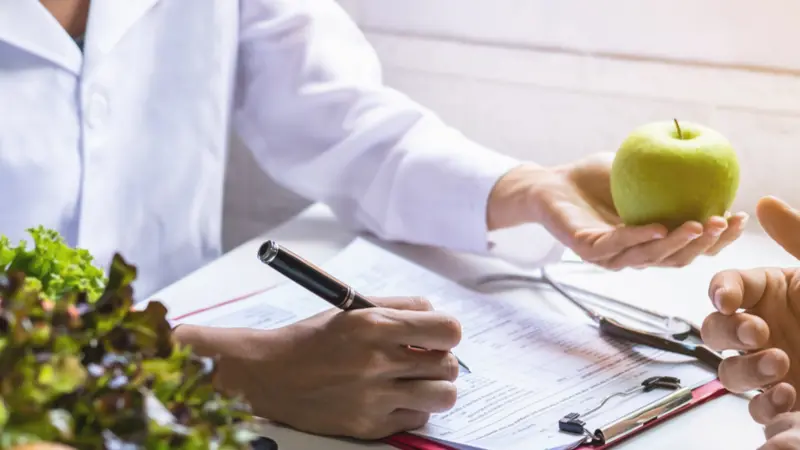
(731, 290)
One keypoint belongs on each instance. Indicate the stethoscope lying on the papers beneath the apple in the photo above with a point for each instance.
(669, 333)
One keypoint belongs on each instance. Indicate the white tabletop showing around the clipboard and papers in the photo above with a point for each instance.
(722, 423)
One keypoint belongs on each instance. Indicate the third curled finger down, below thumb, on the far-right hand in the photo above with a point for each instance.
(744, 373)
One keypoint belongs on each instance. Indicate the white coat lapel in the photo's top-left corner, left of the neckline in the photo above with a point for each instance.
(28, 25)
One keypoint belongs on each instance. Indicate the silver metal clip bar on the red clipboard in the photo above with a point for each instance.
(630, 423)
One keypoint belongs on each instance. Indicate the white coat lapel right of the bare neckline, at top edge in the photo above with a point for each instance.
(110, 20)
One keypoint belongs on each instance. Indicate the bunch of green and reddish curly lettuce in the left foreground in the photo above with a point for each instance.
(79, 366)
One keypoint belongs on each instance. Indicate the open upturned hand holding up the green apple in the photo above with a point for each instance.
(579, 211)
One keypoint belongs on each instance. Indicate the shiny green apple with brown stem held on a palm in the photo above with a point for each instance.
(672, 172)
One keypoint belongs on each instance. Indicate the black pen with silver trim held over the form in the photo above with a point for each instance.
(315, 279)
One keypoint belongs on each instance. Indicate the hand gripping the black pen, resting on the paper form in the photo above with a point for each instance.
(346, 373)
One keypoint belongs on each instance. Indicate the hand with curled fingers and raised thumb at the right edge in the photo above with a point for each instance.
(759, 313)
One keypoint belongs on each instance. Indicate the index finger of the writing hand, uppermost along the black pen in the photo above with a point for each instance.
(426, 329)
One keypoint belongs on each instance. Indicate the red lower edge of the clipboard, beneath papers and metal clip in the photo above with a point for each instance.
(700, 395)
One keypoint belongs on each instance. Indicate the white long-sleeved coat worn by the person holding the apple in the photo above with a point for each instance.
(123, 147)
